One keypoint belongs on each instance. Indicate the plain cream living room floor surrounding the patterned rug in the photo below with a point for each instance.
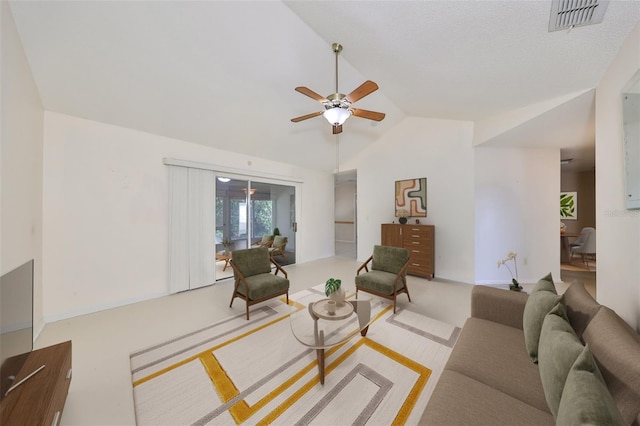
(101, 392)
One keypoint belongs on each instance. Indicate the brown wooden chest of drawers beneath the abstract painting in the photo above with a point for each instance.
(419, 240)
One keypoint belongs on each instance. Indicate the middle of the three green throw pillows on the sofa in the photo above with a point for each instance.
(558, 349)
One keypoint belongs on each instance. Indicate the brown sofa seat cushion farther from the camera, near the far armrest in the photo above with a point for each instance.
(494, 354)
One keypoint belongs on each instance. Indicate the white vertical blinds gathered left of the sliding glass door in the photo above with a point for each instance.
(191, 228)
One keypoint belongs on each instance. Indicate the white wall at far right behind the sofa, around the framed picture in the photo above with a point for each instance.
(618, 242)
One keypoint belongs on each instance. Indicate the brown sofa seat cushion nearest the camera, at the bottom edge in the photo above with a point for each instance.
(460, 400)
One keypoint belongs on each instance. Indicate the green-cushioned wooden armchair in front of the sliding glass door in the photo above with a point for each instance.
(254, 281)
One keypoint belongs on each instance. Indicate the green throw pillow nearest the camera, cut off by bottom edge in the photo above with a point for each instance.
(586, 399)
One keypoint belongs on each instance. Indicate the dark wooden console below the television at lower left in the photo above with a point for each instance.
(40, 399)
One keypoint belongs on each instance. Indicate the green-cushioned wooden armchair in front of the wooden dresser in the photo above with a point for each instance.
(388, 275)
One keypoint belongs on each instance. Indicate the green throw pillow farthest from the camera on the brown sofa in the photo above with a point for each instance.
(542, 299)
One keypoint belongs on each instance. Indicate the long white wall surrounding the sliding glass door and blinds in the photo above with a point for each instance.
(106, 215)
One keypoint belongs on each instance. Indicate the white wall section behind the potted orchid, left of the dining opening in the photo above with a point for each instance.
(516, 204)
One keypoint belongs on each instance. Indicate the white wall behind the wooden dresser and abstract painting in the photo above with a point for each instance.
(441, 151)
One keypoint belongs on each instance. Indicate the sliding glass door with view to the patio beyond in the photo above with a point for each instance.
(247, 210)
